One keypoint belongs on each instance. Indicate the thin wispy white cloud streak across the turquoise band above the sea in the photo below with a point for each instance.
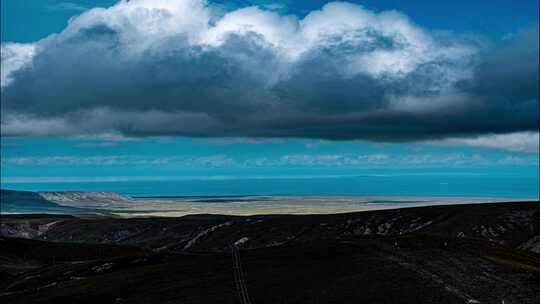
(343, 161)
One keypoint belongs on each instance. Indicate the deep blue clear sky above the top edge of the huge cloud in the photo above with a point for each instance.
(30, 20)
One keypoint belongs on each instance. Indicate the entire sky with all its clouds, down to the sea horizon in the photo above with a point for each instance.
(120, 90)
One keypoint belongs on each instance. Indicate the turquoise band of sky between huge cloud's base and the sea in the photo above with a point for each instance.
(38, 159)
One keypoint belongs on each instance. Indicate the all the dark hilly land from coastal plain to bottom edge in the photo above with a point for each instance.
(484, 253)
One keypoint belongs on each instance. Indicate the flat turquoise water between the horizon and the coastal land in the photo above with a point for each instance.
(417, 183)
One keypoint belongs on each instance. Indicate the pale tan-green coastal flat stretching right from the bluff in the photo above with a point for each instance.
(248, 206)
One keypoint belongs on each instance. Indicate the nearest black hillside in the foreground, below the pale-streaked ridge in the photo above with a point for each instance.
(420, 269)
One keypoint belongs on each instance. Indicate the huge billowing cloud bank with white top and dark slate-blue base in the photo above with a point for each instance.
(157, 68)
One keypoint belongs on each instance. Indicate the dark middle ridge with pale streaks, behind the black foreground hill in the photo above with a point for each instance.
(515, 225)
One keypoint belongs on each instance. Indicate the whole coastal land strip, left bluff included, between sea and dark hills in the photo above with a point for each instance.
(114, 204)
